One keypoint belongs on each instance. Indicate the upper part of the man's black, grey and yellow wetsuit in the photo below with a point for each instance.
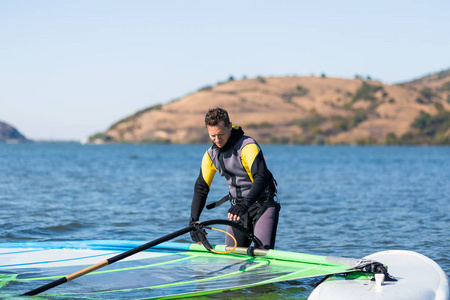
(242, 163)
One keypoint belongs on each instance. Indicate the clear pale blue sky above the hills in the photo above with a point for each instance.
(72, 68)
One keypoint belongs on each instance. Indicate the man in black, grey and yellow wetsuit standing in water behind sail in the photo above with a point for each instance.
(239, 159)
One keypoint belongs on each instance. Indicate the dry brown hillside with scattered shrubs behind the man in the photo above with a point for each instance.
(297, 110)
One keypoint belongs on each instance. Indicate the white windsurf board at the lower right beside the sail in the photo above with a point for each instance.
(419, 278)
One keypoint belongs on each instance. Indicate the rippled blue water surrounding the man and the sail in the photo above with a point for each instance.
(336, 200)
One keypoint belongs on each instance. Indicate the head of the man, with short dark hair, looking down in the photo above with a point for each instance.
(218, 125)
